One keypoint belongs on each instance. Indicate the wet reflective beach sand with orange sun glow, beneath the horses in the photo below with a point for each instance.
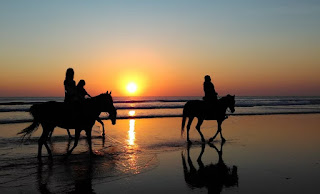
(263, 154)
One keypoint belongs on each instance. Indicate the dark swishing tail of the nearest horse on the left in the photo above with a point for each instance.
(27, 132)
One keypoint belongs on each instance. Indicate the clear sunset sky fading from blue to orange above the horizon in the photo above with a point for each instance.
(248, 47)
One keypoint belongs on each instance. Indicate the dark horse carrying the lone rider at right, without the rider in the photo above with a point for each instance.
(199, 109)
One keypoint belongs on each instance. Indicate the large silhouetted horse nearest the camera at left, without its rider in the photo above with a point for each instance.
(78, 116)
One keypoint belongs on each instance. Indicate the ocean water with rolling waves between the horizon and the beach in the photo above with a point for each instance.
(15, 109)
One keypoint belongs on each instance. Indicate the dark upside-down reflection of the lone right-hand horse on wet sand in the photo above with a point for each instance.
(212, 176)
